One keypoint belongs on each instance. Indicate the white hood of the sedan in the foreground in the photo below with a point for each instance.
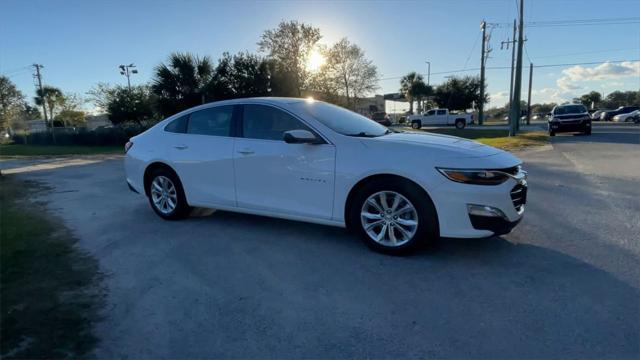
(449, 146)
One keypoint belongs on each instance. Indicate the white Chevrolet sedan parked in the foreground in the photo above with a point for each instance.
(311, 161)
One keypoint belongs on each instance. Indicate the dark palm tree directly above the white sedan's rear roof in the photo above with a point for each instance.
(182, 82)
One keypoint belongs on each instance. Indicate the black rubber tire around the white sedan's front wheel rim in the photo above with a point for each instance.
(427, 231)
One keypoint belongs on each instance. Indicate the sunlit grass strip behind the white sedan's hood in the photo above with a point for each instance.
(499, 138)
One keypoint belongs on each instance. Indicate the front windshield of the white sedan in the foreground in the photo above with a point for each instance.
(341, 120)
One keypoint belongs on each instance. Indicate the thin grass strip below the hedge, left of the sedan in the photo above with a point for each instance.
(52, 150)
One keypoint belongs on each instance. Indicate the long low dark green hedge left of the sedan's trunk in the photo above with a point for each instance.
(117, 135)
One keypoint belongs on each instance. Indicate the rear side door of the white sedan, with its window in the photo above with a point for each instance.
(203, 156)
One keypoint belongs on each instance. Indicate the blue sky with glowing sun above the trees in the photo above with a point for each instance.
(81, 43)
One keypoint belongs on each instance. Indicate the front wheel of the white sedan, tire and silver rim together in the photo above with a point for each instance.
(393, 216)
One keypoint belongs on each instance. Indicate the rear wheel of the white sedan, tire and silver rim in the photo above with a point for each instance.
(166, 195)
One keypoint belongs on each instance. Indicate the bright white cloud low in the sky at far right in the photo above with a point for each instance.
(604, 71)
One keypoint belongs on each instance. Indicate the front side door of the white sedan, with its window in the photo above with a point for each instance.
(272, 175)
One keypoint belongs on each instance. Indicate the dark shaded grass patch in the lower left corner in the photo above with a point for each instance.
(50, 290)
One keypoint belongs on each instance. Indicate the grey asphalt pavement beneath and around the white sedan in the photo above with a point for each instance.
(564, 284)
